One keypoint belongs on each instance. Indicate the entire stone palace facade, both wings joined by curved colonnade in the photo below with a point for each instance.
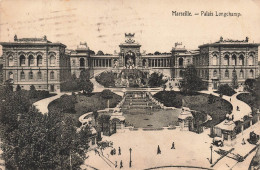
(39, 62)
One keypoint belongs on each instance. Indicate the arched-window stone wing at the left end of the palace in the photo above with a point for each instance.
(35, 61)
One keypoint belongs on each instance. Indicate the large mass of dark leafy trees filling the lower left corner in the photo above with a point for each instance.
(31, 140)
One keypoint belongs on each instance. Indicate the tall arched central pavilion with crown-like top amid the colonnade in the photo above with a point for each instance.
(129, 56)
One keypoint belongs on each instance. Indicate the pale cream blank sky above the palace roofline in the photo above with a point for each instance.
(102, 24)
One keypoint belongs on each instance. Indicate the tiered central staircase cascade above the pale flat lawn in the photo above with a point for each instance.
(138, 103)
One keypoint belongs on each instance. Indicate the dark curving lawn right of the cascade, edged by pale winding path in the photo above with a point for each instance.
(198, 102)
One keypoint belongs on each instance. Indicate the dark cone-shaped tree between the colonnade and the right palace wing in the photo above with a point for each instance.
(191, 82)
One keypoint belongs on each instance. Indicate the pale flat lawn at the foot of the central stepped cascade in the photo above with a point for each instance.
(155, 119)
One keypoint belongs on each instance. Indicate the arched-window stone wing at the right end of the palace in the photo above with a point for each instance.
(218, 62)
